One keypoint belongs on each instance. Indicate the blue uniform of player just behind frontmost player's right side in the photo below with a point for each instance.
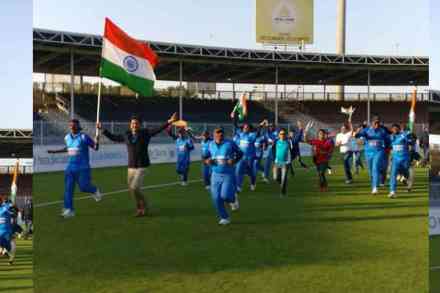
(246, 166)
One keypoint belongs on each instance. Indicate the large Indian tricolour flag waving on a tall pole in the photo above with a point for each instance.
(127, 61)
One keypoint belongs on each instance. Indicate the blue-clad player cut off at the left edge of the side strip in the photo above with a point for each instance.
(8, 212)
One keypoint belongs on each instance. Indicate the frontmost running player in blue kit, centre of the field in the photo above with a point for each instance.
(222, 155)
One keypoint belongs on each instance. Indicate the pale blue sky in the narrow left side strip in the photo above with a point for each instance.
(16, 64)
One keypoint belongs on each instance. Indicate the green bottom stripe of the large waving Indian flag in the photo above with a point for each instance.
(114, 72)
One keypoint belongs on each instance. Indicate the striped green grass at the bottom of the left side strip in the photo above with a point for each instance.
(18, 277)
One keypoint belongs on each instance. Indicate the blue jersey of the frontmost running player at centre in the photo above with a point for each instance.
(221, 153)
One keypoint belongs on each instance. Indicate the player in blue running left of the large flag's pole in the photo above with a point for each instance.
(78, 166)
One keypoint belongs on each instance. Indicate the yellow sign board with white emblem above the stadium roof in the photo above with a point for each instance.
(284, 21)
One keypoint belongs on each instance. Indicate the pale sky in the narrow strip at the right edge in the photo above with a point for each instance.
(434, 61)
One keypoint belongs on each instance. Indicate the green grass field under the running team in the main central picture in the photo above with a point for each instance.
(342, 241)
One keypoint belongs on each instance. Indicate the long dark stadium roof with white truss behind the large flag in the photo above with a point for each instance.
(55, 50)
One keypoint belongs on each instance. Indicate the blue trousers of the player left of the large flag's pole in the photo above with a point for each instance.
(73, 177)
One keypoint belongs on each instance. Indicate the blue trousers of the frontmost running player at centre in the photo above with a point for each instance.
(223, 190)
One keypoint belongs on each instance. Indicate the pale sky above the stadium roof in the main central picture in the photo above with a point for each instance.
(374, 26)
